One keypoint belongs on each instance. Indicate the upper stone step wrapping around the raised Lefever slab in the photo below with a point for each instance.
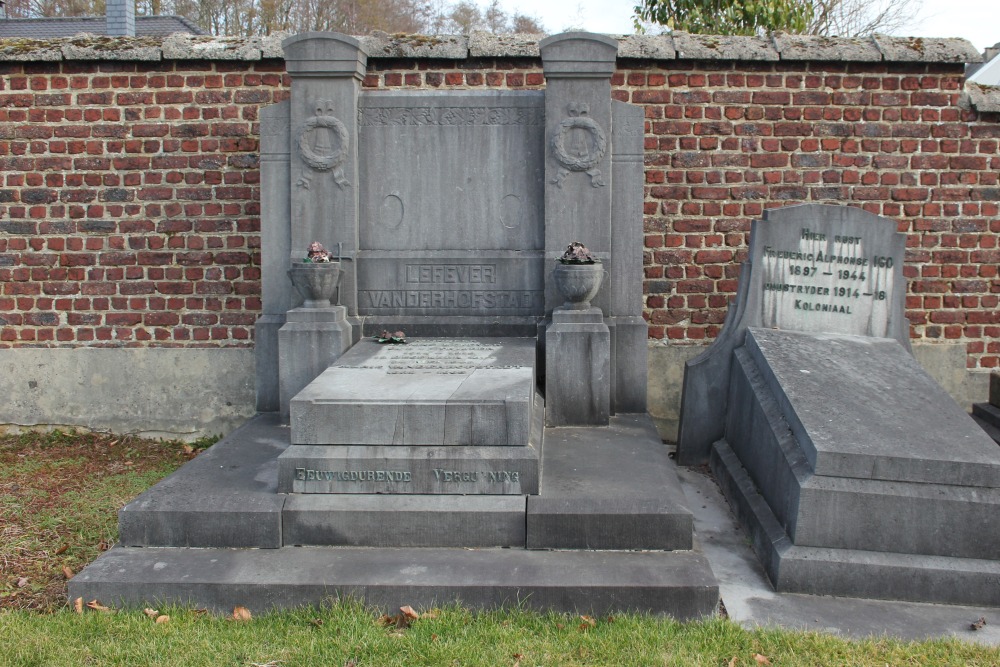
(605, 488)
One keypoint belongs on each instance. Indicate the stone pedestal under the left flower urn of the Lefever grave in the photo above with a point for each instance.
(310, 340)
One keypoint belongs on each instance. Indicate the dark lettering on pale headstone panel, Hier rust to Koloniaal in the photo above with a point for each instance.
(826, 282)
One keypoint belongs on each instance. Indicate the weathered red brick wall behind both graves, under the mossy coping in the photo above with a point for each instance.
(129, 198)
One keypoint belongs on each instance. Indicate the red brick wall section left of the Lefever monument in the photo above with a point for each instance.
(129, 202)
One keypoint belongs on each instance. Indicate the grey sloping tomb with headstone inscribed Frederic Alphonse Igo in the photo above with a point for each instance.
(853, 472)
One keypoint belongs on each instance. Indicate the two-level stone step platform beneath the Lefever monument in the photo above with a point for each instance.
(217, 533)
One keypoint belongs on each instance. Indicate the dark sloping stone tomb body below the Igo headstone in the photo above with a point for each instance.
(855, 475)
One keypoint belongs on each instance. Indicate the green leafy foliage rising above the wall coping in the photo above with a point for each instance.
(728, 17)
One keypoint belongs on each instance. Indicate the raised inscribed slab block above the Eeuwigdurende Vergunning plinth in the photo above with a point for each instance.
(429, 392)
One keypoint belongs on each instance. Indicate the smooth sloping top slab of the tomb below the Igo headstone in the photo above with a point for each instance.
(863, 408)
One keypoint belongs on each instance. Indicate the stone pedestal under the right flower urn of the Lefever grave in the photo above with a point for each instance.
(578, 368)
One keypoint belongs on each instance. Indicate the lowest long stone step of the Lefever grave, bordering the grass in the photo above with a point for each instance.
(676, 583)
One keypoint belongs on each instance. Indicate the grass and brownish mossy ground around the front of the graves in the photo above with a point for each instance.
(58, 501)
